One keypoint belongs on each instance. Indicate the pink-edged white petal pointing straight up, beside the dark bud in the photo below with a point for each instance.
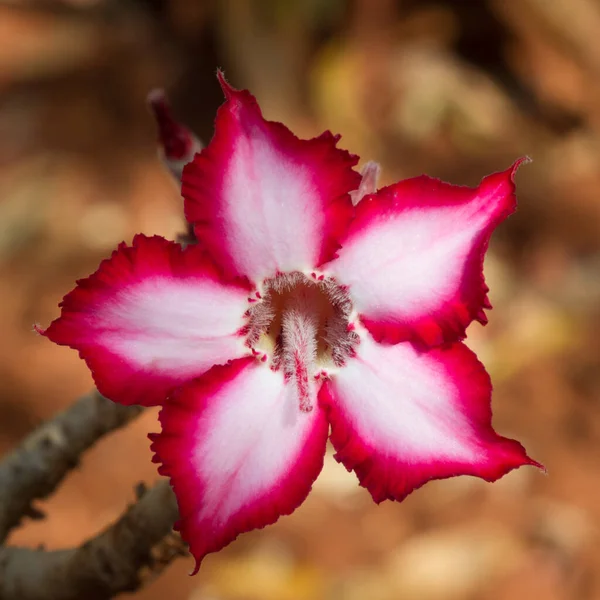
(264, 201)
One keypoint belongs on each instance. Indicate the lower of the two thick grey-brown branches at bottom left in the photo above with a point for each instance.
(120, 559)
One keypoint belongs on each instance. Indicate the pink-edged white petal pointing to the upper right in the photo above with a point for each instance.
(413, 256)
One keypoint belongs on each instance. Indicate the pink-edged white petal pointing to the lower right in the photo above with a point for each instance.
(401, 417)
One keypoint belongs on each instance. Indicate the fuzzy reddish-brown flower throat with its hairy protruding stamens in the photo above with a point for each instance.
(301, 325)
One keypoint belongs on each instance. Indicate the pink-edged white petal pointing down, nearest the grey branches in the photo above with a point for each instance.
(239, 451)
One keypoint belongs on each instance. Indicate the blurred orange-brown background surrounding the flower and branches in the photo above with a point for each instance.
(453, 88)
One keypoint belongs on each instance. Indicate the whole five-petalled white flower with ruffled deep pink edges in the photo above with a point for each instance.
(295, 317)
